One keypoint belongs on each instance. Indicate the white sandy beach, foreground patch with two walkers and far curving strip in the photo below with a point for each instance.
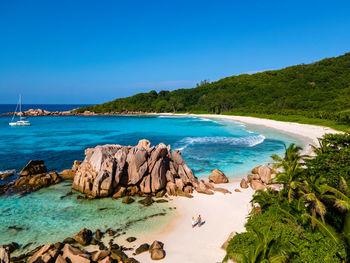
(223, 214)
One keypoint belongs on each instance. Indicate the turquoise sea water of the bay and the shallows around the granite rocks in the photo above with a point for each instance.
(206, 144)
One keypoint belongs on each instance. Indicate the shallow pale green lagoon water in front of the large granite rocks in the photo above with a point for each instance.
(45, 216)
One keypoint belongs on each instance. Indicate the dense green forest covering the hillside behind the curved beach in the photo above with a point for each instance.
(317, 90)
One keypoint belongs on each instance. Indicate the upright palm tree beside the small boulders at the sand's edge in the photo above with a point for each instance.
(290, 176)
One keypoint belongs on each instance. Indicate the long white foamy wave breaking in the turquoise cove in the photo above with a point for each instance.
(249, 141)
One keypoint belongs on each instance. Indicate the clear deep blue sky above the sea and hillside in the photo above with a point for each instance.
(94, 51)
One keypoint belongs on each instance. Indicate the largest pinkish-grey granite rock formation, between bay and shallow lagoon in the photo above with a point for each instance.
(116, 170)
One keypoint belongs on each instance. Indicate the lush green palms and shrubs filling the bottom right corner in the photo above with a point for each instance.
(309, 219)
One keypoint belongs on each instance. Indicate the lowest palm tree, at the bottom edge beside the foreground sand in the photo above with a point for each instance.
(266, 249)
